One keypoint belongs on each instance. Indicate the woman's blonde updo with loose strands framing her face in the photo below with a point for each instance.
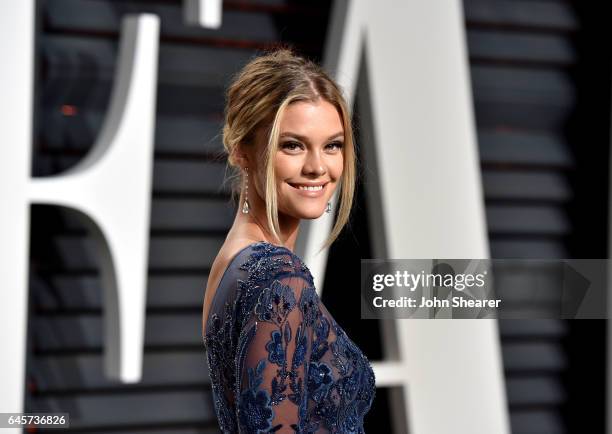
(258, 96)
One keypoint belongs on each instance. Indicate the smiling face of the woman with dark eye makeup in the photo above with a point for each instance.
(310, 158)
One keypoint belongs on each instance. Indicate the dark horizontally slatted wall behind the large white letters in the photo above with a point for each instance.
(540, 76)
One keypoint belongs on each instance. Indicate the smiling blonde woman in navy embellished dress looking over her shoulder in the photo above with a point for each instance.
(278, 361)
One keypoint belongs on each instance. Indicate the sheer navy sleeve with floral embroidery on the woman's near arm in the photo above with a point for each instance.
(273, 354)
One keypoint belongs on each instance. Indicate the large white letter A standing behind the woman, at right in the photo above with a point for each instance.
(425, 199)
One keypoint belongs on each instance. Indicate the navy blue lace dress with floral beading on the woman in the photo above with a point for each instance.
(278, 361)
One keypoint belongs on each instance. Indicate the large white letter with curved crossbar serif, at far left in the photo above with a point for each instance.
(110, 189)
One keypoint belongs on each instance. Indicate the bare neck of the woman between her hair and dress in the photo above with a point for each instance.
(254, 225)
